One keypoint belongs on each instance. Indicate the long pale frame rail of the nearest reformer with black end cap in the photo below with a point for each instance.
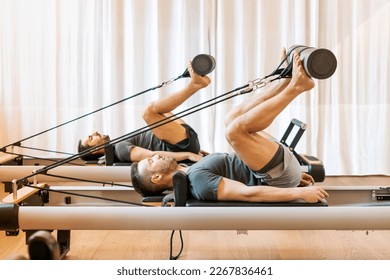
(194, 218)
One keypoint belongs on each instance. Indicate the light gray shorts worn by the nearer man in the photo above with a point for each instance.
(286, 174)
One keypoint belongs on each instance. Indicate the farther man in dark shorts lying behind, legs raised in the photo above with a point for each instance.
(176, 140)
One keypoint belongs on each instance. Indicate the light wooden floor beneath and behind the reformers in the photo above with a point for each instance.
(227, 245)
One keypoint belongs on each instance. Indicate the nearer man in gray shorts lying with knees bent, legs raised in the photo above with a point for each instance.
(260, 169)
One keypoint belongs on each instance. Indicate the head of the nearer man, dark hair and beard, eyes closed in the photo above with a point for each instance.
(153, 175)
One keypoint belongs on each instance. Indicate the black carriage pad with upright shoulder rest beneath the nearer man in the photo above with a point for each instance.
(183, 197)
